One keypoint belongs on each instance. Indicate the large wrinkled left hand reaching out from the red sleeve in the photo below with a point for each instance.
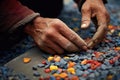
(53, 36)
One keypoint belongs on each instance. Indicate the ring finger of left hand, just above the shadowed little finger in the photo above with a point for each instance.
(54, 46)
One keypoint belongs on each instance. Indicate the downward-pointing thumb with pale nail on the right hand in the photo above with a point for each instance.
(86, 17)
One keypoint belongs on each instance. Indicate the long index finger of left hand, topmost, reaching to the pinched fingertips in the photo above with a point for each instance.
(72, 36)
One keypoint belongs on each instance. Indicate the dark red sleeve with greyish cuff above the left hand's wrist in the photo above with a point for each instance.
(13, 14)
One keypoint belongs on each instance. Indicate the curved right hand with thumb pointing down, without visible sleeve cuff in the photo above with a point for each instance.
(95, 10)
